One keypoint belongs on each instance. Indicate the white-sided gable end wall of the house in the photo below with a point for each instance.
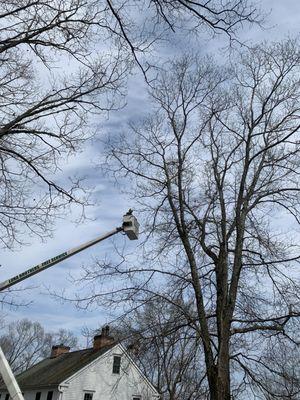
(99, 379)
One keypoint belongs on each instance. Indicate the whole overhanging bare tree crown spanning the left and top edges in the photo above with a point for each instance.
(45, 108)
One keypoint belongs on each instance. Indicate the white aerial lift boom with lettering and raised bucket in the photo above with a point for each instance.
(130, 227)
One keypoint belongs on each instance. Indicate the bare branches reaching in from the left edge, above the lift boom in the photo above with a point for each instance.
(45, 108)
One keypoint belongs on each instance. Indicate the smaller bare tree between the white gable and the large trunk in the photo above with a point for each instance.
(166, 349)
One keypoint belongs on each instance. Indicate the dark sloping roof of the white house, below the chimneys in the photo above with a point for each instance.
(52, 371)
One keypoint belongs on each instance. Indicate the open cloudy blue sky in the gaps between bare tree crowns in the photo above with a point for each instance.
(38, 304)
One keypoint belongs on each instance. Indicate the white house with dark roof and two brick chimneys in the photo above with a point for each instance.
(103, 372)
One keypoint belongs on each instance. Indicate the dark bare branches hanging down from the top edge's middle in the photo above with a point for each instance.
(218, 17)
